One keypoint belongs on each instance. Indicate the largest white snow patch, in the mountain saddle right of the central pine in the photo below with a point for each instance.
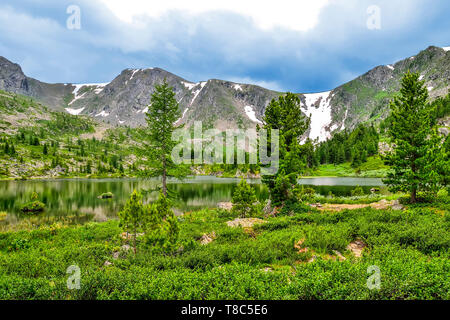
(320, 115)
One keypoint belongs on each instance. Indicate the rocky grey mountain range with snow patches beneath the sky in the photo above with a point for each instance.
(224, 104)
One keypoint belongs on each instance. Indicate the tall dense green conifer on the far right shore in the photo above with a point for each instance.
(413, 136)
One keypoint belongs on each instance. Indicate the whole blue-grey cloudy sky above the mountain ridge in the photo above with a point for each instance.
(299, 46)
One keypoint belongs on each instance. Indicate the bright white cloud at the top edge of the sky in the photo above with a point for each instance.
(296, 15)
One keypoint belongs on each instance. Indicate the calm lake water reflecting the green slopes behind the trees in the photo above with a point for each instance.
(80, 196)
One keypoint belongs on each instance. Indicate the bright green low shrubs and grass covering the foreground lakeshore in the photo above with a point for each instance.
(411, 248)
